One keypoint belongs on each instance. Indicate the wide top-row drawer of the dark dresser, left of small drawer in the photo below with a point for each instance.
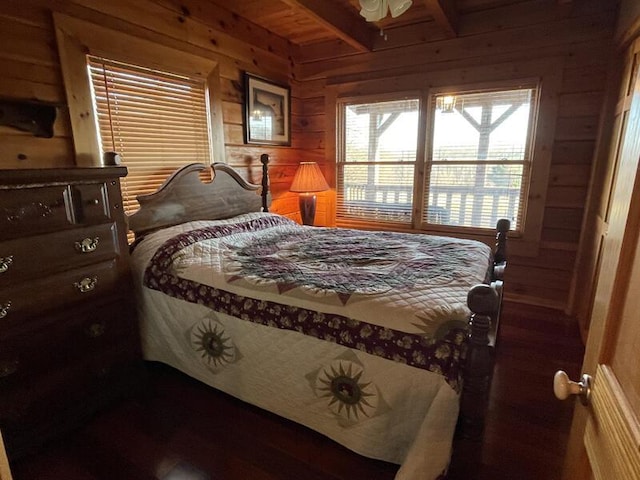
(29, 211)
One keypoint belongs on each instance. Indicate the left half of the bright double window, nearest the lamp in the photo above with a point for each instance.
(377, 165)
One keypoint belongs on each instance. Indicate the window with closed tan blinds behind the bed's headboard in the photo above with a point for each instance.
(157, 122)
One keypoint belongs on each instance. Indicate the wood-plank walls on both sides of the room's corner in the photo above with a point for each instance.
(576, 36)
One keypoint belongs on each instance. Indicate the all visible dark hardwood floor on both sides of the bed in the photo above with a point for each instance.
(183, 430)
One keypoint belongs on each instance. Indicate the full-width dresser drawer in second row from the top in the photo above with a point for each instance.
(35, 256)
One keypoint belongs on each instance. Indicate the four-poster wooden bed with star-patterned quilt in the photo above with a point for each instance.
(381, 341)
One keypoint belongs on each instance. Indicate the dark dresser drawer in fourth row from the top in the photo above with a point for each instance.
(62, 339)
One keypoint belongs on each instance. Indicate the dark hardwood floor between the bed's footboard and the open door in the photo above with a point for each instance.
(527, 427)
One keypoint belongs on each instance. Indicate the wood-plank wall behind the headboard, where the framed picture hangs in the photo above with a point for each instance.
(31, 70)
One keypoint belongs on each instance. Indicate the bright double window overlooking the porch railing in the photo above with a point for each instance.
(472, 169)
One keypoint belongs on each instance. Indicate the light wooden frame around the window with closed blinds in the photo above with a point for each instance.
(78, 38)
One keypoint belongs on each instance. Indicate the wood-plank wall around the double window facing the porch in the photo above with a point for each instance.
(524, 39)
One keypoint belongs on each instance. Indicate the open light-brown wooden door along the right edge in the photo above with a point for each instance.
(605, 438)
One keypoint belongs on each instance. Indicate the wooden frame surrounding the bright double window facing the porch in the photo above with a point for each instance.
(548, 75)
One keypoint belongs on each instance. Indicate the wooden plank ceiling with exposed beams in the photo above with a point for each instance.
(319, 29)
